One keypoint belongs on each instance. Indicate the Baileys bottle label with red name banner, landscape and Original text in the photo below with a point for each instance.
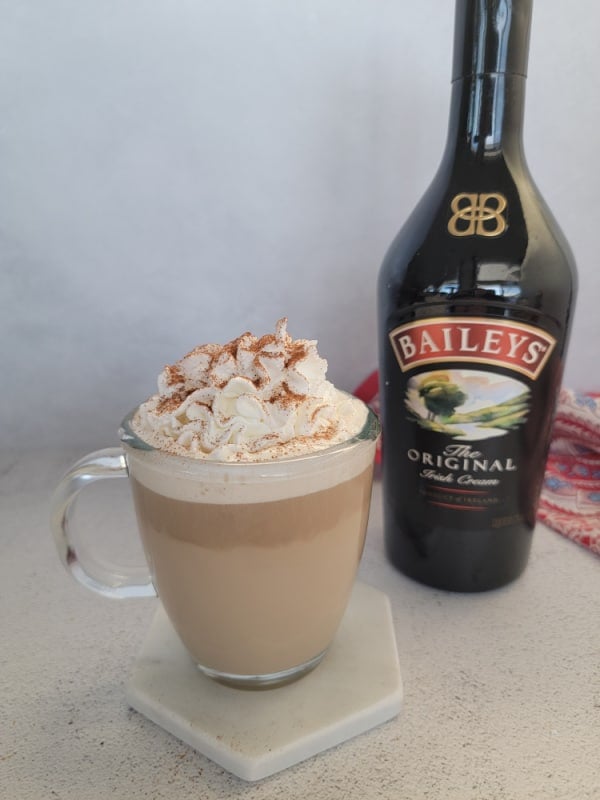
(468, 392)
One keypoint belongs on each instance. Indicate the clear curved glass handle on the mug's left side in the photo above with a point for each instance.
(118, 582)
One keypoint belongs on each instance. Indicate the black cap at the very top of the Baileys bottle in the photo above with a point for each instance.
(491, 36)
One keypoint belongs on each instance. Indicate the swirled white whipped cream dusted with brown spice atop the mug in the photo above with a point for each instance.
(252, 399)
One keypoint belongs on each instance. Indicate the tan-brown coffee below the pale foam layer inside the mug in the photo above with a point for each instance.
(255, 588)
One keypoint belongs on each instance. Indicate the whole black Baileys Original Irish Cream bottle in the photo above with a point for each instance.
(475, 300)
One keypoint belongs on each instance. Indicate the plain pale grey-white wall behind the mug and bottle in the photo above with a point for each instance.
(178, 171)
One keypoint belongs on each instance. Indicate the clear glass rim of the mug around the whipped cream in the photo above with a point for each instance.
(369, 432)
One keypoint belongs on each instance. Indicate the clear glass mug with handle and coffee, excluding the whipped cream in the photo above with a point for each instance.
(253, 562)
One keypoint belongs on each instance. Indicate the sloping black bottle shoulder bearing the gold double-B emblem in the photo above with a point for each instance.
(481, 231)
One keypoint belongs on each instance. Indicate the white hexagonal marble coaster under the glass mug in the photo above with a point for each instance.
(256, 733)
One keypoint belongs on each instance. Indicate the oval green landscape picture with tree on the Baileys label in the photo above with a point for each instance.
(467, 405)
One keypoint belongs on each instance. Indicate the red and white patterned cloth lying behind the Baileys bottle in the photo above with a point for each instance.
(570, 501)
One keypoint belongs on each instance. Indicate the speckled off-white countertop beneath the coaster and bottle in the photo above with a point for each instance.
(502, 690)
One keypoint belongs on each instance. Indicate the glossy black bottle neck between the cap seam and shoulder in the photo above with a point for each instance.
(486, 116)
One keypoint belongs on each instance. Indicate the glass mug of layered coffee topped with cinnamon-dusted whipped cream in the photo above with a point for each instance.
(251, 478)
